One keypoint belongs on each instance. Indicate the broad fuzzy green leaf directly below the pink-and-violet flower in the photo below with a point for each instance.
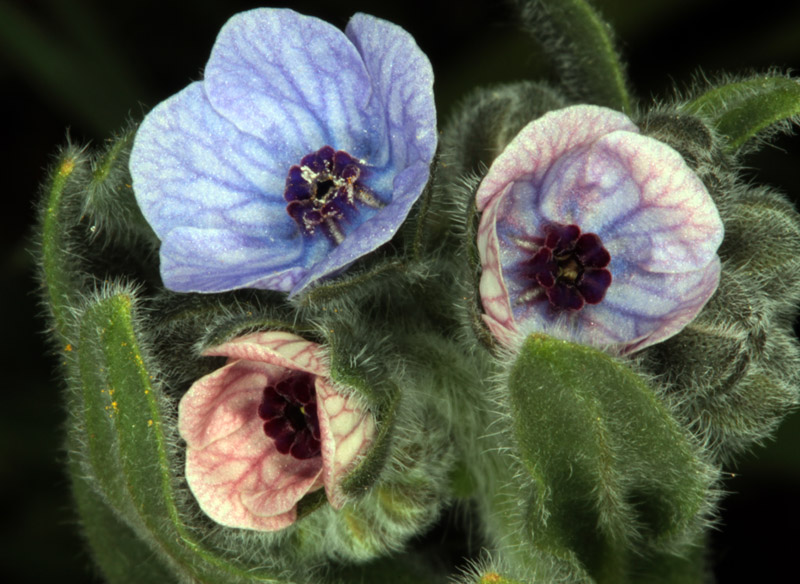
(614, 475)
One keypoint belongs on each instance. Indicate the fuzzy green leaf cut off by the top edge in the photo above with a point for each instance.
(579, 43)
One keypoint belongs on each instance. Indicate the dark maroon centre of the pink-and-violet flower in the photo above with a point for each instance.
(568, 268)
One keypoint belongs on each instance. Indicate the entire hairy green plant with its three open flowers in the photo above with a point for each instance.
(359, 321)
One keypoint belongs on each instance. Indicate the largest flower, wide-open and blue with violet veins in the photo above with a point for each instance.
(303, 149)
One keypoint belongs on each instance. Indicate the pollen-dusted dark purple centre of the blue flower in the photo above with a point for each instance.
(322, 191)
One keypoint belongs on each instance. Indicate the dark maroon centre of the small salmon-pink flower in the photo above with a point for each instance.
(289, 411)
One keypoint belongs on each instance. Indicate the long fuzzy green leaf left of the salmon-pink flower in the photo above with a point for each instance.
(120, 427)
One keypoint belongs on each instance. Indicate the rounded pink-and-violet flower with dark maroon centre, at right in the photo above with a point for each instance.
(593, 233)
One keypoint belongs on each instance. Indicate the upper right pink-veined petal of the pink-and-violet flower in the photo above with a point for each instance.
(626, 184)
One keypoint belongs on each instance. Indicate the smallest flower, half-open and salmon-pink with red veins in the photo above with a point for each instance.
(268, 428)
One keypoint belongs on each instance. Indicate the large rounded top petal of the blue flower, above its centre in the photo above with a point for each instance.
(295, 82)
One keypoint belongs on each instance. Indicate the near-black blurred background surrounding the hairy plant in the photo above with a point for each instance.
(84, 67)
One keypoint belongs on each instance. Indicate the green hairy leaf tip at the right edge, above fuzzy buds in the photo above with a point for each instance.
(743, 109)
